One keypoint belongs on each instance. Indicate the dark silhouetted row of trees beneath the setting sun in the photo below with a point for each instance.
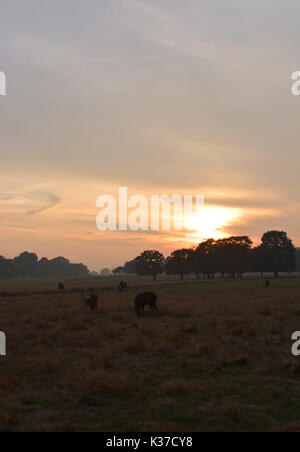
(231, 257)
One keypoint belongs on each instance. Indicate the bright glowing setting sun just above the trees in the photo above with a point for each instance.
(211, 223)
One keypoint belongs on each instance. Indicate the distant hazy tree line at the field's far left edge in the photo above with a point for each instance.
(29, 265)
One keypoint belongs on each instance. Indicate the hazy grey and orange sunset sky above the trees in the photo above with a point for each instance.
(160, 96)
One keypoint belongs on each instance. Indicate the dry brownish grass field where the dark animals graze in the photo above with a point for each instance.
(216, 357)
